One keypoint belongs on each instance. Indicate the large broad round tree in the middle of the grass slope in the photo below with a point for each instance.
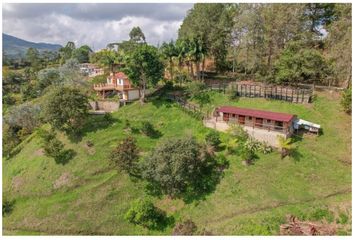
(178, 165)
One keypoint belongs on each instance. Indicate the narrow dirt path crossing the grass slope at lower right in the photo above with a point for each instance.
(277, 205)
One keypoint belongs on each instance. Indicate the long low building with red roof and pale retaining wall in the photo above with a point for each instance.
(262, 125)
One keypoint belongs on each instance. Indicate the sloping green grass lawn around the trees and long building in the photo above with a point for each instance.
(88, 196)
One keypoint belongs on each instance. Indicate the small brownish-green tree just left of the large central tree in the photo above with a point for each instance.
(125, 156)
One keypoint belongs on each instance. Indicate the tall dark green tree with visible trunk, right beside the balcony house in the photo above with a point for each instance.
(144, 68)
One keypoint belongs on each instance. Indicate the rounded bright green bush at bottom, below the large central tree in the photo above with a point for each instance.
(143, 212)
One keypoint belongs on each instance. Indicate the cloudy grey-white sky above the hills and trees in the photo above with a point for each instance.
(94, 24)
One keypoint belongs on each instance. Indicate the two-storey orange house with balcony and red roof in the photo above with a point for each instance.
(118, 83)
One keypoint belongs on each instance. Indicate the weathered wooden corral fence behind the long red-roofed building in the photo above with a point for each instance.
(291, 94)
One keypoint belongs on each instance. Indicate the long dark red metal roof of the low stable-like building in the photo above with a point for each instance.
(283, 117)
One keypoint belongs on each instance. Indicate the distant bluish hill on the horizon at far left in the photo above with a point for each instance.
(13, 46)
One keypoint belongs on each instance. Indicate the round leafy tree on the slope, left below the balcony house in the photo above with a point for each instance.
(65, 109)
